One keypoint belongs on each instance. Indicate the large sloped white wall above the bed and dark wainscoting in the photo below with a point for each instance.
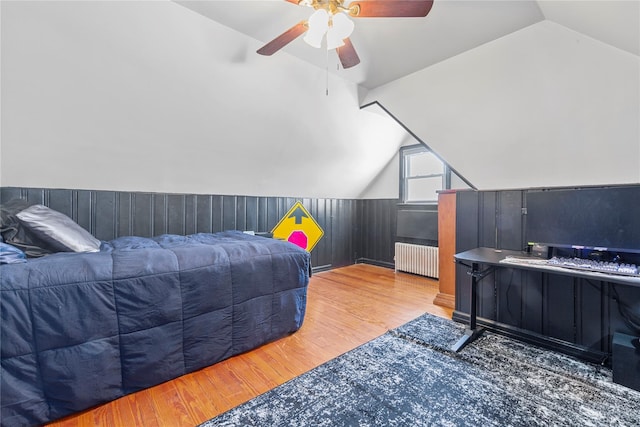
(150, 96)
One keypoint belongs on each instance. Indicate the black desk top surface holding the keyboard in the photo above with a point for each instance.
(497, 257)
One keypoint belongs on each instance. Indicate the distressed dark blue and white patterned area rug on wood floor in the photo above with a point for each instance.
(409, 377)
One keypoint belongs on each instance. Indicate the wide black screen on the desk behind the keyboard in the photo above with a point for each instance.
(590, 218)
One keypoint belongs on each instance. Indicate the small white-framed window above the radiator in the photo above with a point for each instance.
(422, 174)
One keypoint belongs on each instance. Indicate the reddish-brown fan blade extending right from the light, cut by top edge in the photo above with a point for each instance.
(390, 8)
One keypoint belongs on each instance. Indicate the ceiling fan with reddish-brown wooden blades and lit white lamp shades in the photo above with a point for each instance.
(330, 20)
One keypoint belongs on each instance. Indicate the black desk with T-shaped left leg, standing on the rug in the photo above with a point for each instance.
(483, 261)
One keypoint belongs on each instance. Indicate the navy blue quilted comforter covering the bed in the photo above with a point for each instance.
(80, 329)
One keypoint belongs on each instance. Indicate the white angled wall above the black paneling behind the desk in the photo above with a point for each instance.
(544, 106)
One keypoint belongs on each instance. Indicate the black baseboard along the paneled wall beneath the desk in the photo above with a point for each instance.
(539, 340)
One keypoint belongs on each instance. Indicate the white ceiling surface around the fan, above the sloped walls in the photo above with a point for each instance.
(390, 48)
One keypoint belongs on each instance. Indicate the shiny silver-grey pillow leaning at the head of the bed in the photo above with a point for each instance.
(58, 229)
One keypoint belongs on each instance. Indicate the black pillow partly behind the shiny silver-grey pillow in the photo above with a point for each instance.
(14, 233)
